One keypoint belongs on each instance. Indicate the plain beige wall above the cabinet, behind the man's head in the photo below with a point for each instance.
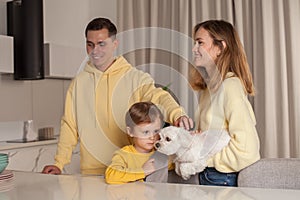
(65, 20)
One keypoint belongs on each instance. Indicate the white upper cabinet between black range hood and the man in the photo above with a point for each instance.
(63, 61)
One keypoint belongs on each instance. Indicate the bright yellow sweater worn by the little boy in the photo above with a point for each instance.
(126, 166)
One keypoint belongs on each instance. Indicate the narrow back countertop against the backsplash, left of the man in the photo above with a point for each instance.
(7, 146)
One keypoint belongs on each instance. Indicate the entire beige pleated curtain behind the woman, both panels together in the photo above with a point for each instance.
(268, 30)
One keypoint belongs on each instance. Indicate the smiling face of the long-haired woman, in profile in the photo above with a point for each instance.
(204, 51)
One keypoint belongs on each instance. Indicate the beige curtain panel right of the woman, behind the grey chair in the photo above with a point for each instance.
(271, 34)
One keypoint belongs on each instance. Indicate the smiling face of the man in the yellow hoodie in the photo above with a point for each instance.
(100, 48)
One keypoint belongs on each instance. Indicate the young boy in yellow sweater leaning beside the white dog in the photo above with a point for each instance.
(133, 163)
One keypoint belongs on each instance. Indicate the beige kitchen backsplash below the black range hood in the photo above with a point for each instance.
(39, 100)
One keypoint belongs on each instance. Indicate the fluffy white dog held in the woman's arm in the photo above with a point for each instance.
(191, 150)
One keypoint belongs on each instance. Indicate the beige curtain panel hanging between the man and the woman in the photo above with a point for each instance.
(170, 39)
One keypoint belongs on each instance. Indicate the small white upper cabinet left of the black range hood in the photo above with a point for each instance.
(6, 54)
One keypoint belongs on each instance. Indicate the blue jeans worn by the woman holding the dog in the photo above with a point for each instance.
(210, 176)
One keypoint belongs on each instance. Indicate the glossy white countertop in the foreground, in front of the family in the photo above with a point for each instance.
(31, 186)
